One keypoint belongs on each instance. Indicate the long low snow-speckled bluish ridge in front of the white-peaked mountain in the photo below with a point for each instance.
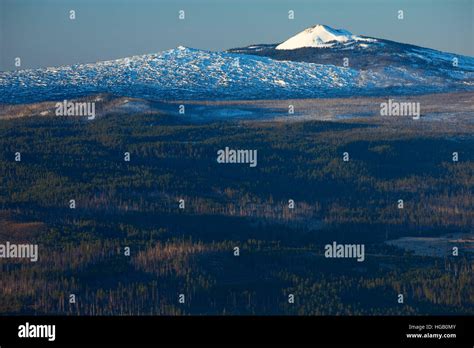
(182, 73)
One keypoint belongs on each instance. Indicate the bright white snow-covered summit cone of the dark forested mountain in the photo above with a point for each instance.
(320, 36)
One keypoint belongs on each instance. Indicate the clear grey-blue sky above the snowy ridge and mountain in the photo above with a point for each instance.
(41, 33)
